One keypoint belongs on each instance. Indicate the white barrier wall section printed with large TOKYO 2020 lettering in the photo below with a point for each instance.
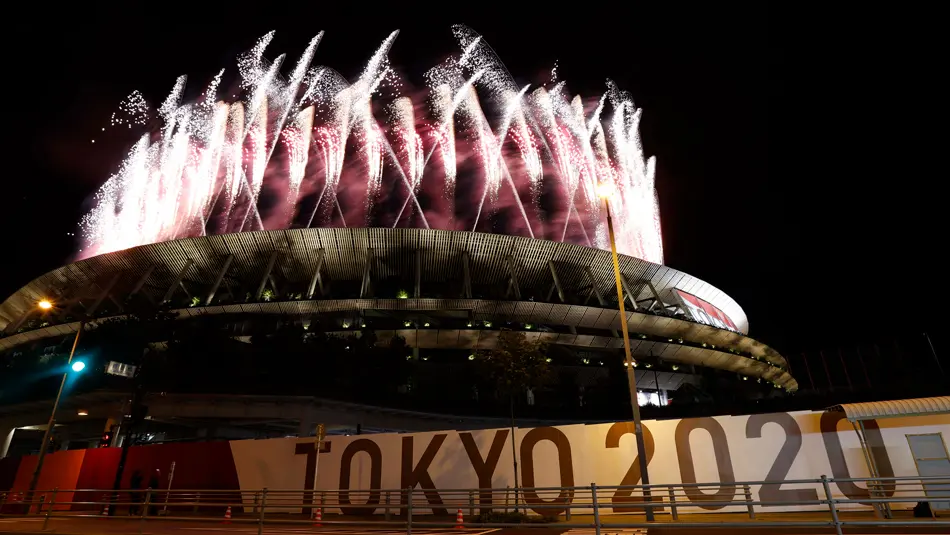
(726, 449)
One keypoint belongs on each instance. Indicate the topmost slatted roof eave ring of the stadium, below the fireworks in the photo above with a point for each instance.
(346, 252)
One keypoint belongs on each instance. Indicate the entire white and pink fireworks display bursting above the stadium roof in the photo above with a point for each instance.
(205, 168)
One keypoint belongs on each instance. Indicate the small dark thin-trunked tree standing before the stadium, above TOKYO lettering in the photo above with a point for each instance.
(515, 365)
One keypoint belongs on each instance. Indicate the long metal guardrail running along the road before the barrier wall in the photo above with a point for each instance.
(593, 506)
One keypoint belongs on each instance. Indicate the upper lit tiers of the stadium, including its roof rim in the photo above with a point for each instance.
(437, 289)
